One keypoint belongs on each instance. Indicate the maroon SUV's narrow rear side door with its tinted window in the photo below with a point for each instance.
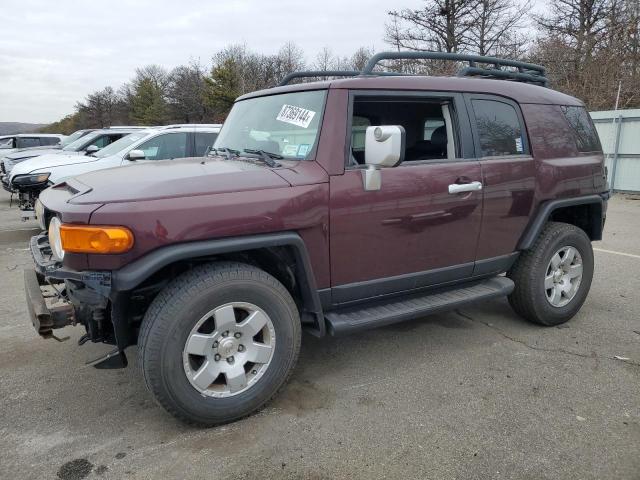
(508, 177)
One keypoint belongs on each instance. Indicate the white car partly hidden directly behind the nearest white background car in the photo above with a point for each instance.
(85, 141)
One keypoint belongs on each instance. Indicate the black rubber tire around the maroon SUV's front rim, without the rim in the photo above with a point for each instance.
(174, 312)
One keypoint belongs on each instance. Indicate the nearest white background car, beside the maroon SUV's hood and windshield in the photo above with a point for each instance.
(32, 176)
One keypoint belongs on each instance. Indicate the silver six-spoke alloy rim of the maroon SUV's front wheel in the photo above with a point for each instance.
(229, 349)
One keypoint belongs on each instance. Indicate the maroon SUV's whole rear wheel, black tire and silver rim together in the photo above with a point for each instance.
(552, 279)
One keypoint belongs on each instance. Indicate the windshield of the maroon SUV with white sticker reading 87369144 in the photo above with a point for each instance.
(285, 124)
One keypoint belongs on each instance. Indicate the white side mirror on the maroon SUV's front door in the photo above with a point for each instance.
(383, 148)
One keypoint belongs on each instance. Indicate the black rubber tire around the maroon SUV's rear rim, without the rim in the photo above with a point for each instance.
(529, 298)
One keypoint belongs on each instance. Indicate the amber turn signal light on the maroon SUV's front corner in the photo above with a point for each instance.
(95, 239)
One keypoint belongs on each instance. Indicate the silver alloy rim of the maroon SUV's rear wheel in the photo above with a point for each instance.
(563, 276)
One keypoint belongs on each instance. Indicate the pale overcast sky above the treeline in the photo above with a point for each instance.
(53, 53)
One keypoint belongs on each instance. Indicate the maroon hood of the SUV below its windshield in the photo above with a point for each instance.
(173, 178)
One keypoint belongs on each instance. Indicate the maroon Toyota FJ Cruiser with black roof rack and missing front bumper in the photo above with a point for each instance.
(332, 207)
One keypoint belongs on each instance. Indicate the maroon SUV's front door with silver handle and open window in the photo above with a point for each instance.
(412, 233)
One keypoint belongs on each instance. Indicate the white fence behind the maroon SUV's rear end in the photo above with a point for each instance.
(619, 133)
